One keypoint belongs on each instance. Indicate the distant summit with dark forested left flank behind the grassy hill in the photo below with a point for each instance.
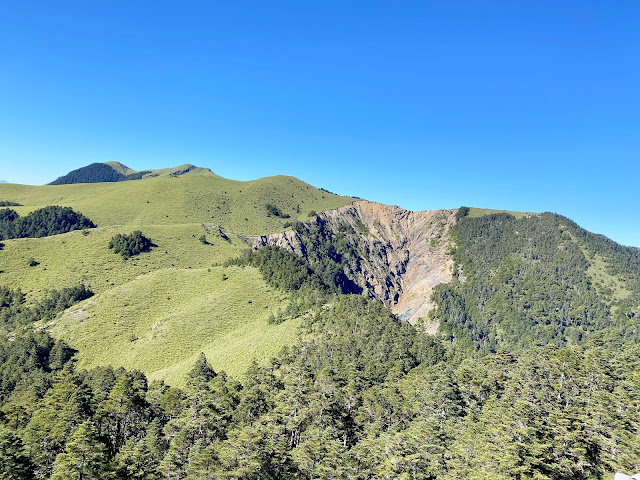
(117, 172)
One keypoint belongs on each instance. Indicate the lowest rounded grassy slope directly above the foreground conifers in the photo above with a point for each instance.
(160, 322)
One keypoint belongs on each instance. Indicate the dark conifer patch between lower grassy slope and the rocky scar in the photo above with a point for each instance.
(282, 269)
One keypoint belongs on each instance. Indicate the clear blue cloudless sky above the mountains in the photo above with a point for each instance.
(521, 105)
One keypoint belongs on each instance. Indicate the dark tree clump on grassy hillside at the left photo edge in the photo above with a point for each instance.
(43, 222)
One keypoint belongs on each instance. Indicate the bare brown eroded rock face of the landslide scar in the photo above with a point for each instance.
(401, 254)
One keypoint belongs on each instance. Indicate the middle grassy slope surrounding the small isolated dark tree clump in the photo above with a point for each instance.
(72, 258)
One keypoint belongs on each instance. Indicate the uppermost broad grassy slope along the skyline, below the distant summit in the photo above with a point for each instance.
(206, 199)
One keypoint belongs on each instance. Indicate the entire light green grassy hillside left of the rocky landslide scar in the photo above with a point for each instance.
(159, 310)
